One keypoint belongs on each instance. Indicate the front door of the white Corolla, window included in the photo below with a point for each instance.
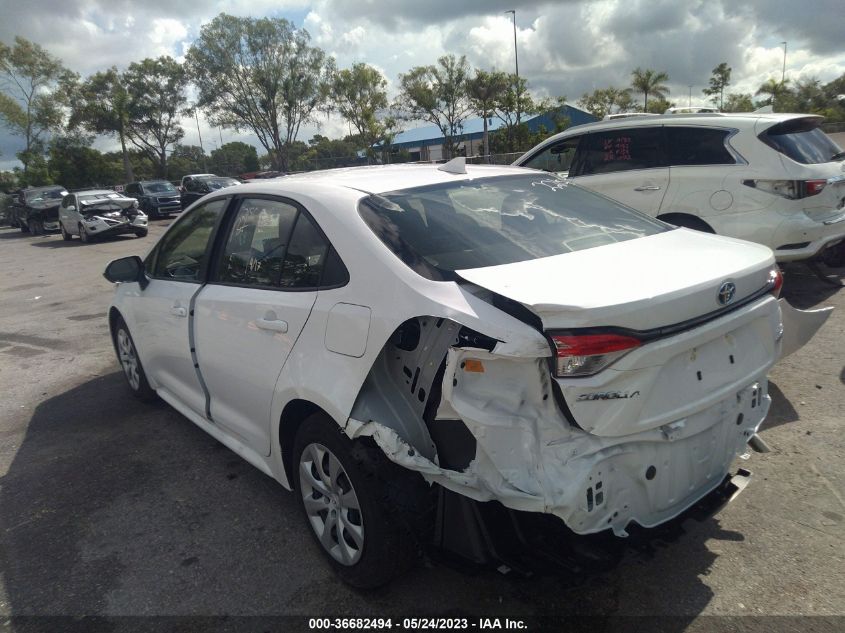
(161, 311)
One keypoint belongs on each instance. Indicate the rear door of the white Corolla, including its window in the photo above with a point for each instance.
(249, 316)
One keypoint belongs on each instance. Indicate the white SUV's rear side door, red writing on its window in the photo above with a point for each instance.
(626, 164)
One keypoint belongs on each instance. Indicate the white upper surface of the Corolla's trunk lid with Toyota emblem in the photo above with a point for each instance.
(641, 284)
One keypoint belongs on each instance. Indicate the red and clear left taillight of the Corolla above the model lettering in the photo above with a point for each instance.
(587, 354)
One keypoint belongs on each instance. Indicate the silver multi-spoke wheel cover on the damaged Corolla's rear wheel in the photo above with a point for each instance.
(331, 504)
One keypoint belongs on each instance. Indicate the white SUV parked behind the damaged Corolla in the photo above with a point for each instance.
(775, 179)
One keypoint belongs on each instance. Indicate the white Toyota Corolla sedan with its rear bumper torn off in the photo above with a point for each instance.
(401, 344)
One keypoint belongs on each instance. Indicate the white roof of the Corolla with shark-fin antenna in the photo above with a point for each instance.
(382, 178)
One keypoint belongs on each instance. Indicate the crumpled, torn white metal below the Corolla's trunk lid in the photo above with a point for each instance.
(529, 458)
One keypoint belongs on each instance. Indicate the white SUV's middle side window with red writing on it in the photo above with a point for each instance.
(619, 150)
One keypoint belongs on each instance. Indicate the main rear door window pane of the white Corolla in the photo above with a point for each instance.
(257, 243)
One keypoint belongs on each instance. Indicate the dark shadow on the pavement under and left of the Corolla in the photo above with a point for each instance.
(114, 506)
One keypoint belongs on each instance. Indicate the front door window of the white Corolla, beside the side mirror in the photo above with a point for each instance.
(183, 251)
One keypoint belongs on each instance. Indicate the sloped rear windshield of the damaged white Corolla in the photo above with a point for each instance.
(442, 228)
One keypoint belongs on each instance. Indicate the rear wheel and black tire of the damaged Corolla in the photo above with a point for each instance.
(341, 487)
